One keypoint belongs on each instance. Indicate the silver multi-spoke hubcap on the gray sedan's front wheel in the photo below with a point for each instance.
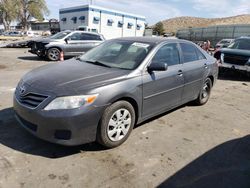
(119, 125)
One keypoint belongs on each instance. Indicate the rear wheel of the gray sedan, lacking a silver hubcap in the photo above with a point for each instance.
(204, 93)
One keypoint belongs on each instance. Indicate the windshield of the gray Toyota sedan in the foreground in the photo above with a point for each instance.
(118, 54)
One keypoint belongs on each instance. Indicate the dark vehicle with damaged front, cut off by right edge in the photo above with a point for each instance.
(236, 56)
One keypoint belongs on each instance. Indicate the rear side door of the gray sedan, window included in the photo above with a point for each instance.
(194, 69)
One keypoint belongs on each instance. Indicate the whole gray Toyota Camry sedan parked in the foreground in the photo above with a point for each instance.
(102, 94)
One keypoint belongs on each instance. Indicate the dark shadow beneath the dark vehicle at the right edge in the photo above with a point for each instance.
(235, 75)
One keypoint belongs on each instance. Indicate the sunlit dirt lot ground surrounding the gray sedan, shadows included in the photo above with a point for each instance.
(191, 146)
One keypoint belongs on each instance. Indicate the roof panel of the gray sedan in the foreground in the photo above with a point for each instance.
(152, 40)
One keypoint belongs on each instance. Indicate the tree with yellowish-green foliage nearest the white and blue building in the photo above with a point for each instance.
(31, 8)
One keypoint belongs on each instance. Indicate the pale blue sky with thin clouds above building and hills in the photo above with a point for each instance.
(159, 10)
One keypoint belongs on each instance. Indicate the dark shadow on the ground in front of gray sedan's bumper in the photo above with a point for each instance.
(12, 135)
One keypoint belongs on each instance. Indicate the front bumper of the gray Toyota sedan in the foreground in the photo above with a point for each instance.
(64, 127)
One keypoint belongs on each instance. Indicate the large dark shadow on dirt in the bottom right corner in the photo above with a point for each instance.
(225, 166)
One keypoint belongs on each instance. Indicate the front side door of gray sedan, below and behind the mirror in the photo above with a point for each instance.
(162, 90)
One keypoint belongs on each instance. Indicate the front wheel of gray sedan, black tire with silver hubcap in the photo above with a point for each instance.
(114, 130)
